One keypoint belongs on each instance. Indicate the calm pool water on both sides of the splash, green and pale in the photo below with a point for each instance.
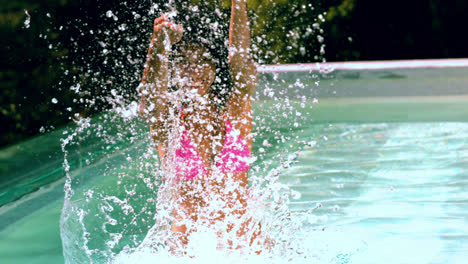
(397, 189)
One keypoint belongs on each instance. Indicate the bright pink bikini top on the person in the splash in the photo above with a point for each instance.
(234, 157)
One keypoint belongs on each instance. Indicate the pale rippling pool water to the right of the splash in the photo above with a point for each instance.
(399, 187)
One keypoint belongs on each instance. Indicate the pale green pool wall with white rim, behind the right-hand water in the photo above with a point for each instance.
(381, 91)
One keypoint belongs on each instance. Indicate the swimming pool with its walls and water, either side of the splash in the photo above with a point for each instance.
(385, 155)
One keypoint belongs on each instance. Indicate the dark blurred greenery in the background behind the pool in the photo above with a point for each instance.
(58, 56)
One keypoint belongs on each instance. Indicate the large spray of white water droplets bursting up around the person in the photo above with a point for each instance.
(119, 198)
